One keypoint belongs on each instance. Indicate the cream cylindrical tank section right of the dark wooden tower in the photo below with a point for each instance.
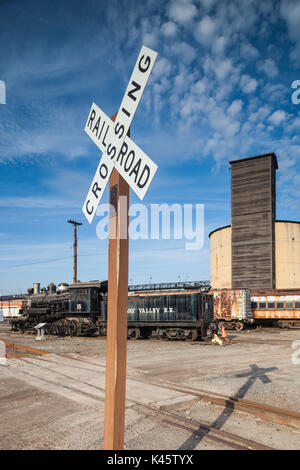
(287, 254)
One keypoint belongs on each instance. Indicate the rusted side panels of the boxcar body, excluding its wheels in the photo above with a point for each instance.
(232, 304)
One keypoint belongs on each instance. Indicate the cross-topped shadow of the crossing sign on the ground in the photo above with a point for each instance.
(254, 374)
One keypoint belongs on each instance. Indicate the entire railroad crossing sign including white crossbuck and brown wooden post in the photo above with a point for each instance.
(124, 163)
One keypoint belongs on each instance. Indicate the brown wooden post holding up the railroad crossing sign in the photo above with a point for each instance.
(116, 345)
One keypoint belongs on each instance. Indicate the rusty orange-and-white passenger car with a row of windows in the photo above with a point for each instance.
(276, 307)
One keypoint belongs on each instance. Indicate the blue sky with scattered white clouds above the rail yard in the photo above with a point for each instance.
(220, 90)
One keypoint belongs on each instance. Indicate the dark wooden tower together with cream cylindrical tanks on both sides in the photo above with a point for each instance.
(256, 250)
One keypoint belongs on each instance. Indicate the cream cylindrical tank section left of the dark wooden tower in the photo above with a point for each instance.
(220, 258)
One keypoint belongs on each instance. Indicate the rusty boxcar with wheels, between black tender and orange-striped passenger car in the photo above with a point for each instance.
(232, 307)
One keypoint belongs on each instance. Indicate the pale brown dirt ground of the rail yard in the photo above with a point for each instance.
(56, 401)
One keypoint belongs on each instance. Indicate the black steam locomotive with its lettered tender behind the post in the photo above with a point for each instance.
(81, 310)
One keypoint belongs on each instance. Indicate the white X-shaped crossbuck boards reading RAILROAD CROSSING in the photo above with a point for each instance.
(118, 149)
